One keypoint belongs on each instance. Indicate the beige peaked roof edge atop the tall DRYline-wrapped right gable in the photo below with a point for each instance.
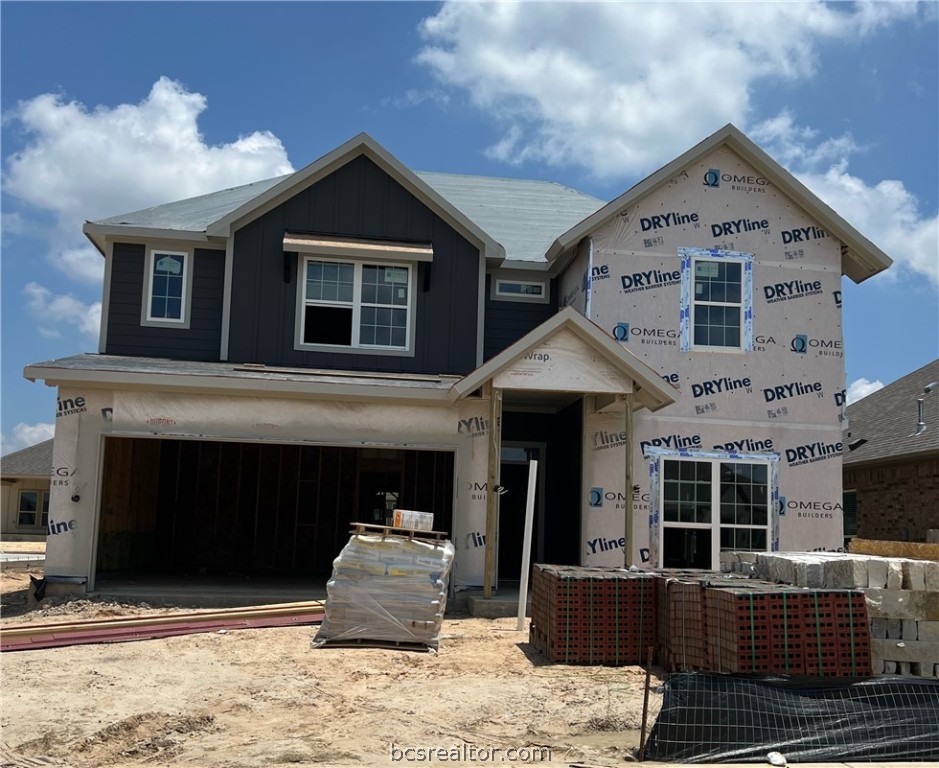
(861, 259)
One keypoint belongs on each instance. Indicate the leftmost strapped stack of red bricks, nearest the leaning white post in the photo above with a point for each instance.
(592, 615)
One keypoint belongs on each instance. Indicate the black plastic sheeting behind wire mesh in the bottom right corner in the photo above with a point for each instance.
(710, 718)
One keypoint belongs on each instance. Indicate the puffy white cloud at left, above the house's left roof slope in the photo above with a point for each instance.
(82, 163)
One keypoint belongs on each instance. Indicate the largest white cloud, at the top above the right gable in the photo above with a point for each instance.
(637, 90)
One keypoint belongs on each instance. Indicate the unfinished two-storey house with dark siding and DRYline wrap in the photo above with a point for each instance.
(281, 359)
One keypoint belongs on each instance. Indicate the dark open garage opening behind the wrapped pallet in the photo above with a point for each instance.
(220, 510)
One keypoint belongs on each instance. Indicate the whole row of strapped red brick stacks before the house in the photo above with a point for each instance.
(611, 616)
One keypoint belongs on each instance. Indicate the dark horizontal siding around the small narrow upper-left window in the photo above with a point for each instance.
(126, 336)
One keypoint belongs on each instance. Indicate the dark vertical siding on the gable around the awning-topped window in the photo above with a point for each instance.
(358, 200)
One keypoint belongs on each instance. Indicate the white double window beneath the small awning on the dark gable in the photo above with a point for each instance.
(354, 305)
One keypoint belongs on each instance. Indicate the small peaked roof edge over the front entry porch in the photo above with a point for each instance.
(650, 389)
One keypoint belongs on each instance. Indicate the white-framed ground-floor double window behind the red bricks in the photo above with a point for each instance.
(710, 505)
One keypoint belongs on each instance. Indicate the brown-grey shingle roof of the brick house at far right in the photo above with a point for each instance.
(887, 419)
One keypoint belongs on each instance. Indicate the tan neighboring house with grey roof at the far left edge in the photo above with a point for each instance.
(25, 477)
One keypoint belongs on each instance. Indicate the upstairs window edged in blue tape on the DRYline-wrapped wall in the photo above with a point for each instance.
(716, 311)
